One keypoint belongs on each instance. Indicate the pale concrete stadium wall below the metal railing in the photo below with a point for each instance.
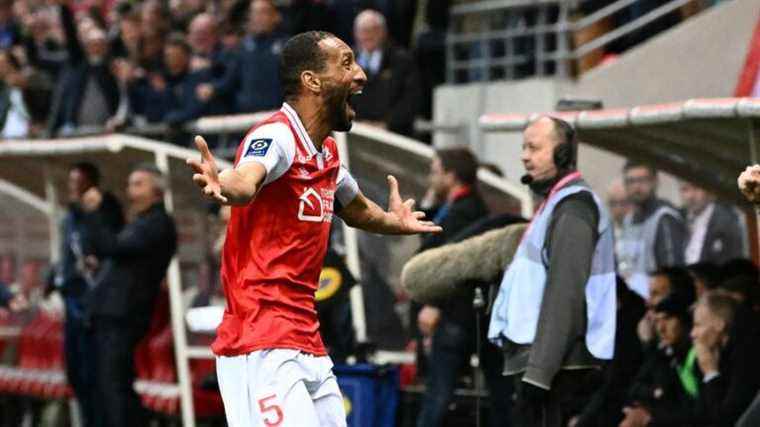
(702, 57)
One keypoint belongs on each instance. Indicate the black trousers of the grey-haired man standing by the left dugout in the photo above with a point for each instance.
(115, 342)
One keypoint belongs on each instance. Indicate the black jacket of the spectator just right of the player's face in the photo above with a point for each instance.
(392, 94)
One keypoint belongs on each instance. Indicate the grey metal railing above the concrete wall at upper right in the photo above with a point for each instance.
(511, 39)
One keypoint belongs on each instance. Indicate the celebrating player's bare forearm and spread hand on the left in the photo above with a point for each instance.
(230, 187)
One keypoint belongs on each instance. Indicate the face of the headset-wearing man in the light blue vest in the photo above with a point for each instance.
(539, 140)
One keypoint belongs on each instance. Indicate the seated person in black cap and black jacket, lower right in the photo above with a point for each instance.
(666, 388)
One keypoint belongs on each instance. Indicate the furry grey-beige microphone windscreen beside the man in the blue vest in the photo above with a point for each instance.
(440, 272)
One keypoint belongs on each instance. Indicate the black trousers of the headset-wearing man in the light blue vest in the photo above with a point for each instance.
(559, 405)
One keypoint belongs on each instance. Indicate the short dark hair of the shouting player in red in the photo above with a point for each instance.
(301, 53)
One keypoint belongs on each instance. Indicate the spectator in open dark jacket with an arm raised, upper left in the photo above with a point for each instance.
(89, 94)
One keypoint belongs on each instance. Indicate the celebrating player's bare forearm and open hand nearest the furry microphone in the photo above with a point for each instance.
(399, 219)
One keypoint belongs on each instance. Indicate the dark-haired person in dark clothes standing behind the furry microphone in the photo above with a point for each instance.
(456, 204)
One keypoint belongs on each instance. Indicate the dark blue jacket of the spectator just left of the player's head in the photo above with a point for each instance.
(254, 78)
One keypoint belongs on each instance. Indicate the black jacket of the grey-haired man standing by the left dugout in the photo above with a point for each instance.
(133, 263)
